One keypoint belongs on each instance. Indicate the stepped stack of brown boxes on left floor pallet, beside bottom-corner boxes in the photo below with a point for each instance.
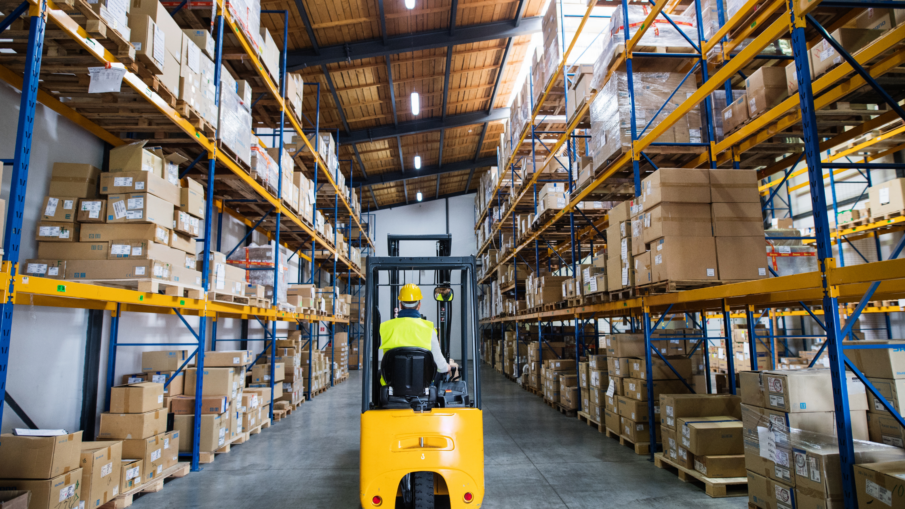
(138, 418)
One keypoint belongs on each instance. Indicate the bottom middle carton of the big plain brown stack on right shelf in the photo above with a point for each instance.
(684, 259)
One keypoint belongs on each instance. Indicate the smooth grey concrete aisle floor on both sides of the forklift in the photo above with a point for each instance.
(535, 457)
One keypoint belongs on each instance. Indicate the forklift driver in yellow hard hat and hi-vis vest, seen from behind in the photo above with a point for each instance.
(408, 329)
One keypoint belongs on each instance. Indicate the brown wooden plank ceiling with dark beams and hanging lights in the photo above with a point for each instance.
(463, 59)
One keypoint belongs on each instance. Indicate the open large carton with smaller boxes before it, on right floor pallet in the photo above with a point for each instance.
(703, 433)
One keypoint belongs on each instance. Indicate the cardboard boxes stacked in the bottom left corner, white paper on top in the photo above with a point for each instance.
(47, 466)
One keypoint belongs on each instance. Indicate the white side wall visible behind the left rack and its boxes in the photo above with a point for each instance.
(47, 354)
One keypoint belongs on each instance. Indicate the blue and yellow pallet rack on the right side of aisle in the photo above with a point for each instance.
(779, 296)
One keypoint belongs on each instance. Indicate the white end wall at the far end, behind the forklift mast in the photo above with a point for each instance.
(422, 219)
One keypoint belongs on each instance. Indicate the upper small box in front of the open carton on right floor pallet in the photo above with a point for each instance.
(710, 436)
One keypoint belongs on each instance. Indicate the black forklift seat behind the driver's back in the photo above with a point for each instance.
(408, 373)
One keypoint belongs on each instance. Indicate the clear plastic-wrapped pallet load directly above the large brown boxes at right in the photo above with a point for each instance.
(611, 112)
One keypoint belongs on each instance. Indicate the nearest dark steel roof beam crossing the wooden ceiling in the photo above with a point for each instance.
(299, 59)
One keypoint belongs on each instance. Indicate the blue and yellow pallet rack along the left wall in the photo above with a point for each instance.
(76, 49)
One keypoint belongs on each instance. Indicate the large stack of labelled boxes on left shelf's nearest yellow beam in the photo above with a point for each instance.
(137, 232)
